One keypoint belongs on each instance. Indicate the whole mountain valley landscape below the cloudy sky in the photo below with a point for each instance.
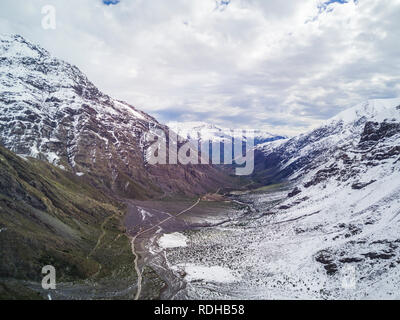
(318, 218)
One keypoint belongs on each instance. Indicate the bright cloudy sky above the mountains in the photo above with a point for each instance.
(284, 66)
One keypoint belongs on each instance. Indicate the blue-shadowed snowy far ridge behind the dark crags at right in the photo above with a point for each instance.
(304, 150)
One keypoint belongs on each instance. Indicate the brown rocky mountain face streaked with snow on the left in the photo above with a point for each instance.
(51, 111)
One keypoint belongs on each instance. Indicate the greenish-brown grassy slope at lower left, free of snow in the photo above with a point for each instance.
(52, 217)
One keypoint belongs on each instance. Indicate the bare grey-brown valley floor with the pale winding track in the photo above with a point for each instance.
(149, 221)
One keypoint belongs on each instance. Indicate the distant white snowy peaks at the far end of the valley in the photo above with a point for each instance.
(202, 131)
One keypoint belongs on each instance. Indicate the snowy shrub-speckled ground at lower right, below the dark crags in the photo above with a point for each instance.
(287, 255)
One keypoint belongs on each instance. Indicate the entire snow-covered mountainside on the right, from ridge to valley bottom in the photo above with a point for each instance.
(332, 233)
